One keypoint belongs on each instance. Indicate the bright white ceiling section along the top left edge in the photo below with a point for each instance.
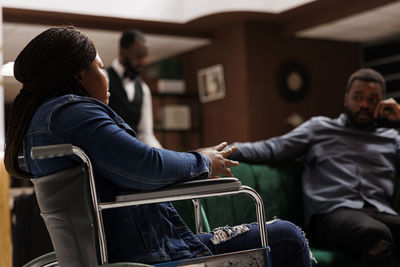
(177, 11)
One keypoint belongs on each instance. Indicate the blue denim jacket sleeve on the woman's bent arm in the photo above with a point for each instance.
(120, 157)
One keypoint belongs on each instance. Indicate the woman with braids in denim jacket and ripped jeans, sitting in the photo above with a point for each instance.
(64, 100)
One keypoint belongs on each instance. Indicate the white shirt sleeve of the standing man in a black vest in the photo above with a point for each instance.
(145, 126)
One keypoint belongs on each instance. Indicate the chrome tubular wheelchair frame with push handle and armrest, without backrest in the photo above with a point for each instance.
(194, 190)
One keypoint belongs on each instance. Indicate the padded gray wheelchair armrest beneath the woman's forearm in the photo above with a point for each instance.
(218, 185)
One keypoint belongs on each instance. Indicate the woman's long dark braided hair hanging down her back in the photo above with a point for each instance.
(47, 67)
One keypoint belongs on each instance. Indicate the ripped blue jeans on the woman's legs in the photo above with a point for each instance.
(289, 247)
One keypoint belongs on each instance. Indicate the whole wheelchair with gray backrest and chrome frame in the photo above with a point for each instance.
(76, 227)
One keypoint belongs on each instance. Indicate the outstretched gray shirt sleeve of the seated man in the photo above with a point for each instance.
(286, 147)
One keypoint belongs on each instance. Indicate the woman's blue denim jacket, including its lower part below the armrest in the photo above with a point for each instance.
(149, 233)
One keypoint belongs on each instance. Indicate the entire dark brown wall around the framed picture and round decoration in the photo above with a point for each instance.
(251, 54)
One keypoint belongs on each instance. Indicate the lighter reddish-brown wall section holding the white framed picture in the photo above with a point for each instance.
(225, 119)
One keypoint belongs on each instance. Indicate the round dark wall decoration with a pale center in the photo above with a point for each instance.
(292, 81)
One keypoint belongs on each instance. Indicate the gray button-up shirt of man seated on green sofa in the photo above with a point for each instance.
(344, 166)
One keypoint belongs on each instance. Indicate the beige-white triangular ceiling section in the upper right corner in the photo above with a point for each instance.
(367, 26)
